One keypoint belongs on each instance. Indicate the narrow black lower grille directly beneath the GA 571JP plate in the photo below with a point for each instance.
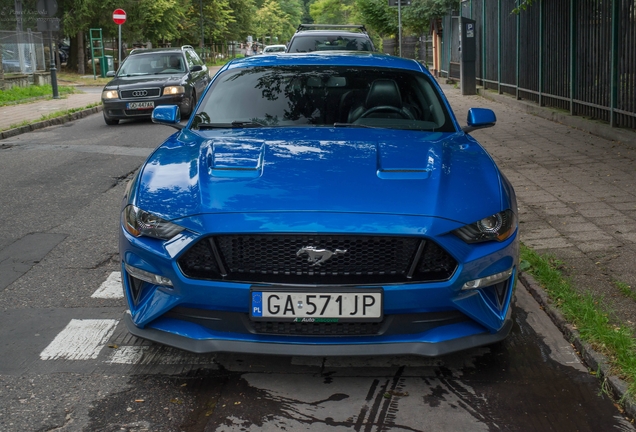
(317, 329)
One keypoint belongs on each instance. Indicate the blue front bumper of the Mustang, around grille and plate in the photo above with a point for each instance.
(157, 312)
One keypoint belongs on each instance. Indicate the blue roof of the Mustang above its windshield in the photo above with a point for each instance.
(328, 58)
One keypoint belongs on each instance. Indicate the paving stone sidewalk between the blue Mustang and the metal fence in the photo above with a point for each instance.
(576, 191)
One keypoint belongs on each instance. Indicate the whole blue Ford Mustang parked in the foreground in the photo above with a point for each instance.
(320, 204)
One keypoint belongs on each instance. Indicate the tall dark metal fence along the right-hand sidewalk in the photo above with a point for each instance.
(576, 55)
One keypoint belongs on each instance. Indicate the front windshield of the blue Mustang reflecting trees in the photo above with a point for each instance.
(323, 96)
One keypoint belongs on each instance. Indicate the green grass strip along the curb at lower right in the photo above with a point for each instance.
(588, 314)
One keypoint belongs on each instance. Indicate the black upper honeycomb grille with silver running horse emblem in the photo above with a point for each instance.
(282, 258)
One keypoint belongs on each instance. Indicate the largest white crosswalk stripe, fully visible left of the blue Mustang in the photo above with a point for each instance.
(80, 340)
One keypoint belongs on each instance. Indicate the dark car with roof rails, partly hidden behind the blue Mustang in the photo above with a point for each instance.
(329, 37)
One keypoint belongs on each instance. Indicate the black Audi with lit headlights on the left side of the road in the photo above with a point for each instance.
(153, 77)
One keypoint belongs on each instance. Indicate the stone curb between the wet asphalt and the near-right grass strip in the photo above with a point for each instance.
(592, 359)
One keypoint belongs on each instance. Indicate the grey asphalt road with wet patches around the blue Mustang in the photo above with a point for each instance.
(68, 364)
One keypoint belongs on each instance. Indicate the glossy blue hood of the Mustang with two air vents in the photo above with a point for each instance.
(333, 170)
